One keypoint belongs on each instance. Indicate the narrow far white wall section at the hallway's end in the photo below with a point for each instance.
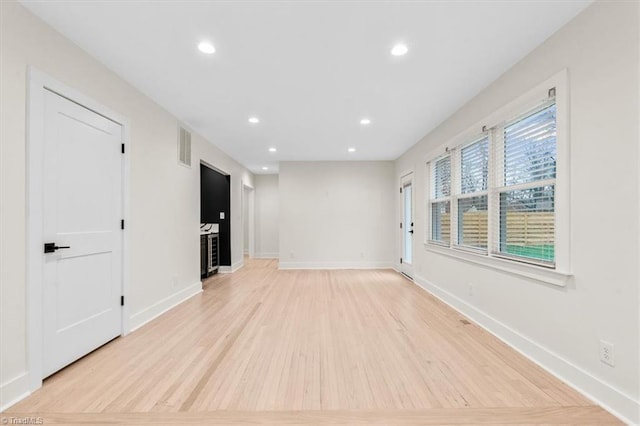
(266, 214)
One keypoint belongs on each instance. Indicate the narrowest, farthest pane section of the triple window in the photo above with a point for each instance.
(441, 202)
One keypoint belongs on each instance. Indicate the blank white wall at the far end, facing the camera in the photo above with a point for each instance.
(336, 214)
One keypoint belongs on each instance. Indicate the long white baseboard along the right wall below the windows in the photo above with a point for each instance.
(618, 403)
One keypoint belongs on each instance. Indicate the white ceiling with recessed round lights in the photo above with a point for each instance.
(310, 70)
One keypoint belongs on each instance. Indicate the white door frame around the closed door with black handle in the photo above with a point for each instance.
(38, 83)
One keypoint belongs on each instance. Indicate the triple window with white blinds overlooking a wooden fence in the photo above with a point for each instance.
(496, 194)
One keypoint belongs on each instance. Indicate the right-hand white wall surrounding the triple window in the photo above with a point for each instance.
(561, 327)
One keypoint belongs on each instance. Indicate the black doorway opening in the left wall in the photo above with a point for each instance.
(215, 202)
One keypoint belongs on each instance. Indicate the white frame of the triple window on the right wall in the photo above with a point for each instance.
(493, 125)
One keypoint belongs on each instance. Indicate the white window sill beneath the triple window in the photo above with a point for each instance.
(533, 272)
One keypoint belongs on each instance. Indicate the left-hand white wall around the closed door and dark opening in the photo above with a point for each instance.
(165, 197)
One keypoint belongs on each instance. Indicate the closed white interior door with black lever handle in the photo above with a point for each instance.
(82, 210)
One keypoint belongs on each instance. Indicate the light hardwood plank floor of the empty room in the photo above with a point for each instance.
(263, 346)
